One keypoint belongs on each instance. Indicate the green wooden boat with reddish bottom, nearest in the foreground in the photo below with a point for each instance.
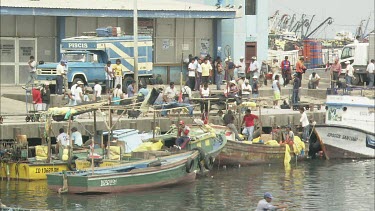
(134, 176)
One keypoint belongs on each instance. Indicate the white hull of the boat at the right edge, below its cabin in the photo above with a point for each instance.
(342, 142)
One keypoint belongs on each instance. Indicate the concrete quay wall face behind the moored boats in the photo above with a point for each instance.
(36, 129)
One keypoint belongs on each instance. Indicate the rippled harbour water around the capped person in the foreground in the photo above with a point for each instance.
(314, 185)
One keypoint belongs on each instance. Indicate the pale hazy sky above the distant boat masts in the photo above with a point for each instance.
(346, 14)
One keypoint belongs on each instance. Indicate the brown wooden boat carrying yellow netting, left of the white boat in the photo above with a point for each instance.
(245, 153)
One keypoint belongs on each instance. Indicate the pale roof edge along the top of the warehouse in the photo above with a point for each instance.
(146, 5)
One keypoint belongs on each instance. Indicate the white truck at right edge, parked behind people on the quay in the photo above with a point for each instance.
(359, 55)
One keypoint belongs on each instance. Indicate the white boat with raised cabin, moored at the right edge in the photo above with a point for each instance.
(349, 131)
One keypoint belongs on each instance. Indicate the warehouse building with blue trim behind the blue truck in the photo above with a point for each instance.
(35, 27)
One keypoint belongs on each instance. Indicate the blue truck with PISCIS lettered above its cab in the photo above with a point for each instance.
(86, 57)
